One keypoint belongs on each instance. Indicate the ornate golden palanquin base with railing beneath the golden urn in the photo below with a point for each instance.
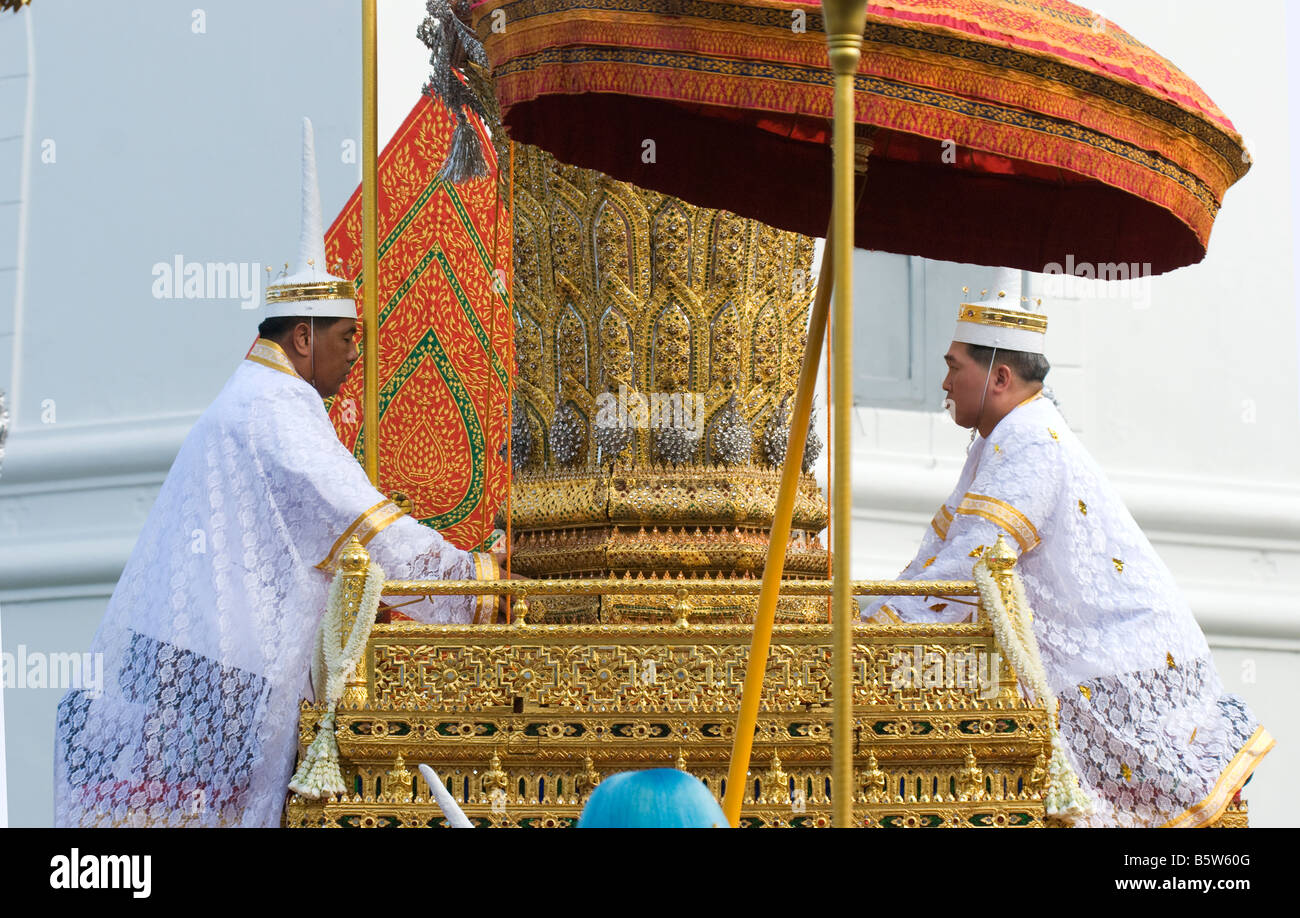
(523, 721)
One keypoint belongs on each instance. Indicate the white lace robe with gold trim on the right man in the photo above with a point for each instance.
(1150, 729)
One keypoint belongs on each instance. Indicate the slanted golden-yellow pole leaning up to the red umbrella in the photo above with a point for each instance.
(779, 540)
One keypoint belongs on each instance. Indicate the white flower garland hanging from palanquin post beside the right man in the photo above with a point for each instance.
(1064, 798)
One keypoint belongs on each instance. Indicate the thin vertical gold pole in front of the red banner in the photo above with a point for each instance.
(371, 239)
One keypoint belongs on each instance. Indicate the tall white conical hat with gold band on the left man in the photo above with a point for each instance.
(311, 291)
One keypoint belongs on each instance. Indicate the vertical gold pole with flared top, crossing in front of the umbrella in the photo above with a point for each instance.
(844, 23)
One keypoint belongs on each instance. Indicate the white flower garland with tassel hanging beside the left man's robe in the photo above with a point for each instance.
(319, 773)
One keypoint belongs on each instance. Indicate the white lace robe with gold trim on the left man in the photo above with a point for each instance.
(209, 638)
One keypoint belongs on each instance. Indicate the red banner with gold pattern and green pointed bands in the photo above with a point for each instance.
(444, 336)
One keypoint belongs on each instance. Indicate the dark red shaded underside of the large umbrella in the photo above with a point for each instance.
(915, 203)
